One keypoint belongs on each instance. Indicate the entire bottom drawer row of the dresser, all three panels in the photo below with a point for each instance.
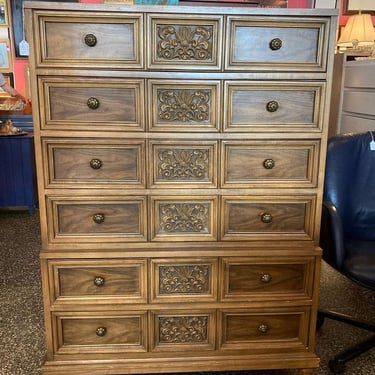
(185, 331)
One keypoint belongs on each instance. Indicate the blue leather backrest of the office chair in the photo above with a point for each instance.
(350, 182)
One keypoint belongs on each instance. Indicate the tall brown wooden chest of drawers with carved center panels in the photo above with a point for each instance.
(180, 156)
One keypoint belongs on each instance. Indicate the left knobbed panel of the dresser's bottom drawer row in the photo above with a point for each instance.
(100, 332)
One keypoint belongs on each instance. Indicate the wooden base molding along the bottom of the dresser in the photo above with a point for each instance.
(304, 362)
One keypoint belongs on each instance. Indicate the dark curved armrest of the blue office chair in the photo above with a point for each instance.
(332, 235)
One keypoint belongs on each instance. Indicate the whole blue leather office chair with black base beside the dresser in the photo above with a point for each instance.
(348, 225)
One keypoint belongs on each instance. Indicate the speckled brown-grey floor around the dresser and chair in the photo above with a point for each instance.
(21, 320)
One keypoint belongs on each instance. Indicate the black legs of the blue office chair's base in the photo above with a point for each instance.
(337, 363)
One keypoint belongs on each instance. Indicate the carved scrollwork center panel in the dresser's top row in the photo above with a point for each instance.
(182, 42)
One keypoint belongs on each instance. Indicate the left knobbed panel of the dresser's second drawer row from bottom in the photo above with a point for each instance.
(98, 281)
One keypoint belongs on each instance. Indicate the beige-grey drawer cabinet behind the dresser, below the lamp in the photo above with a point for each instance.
(352, 106)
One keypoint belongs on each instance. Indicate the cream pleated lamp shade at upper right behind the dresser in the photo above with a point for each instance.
(359, 29)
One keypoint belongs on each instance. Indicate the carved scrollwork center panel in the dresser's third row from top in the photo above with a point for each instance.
(177, 164)
